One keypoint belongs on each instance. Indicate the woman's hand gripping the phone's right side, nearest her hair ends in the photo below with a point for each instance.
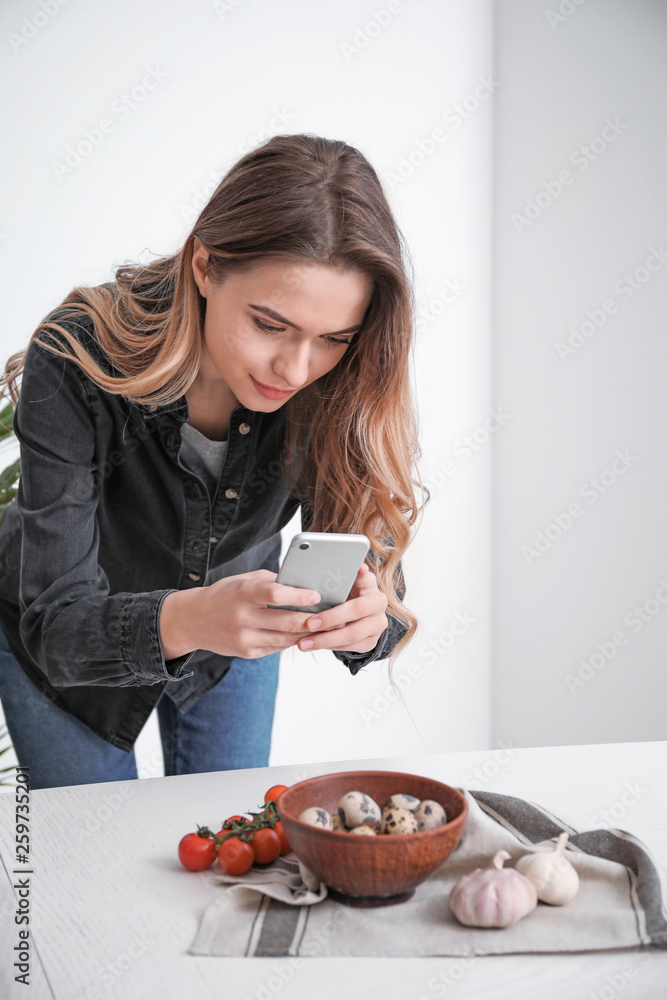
(358, 623)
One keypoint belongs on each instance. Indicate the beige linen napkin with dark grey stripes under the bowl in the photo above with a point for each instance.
(285, 910)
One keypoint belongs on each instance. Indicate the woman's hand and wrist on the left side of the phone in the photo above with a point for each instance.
(231, 617)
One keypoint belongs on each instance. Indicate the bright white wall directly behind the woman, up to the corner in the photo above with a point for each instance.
(224, 76)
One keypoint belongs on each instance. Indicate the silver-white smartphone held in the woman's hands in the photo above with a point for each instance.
(327, 562)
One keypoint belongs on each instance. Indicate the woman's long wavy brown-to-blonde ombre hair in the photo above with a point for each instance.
(351, 434)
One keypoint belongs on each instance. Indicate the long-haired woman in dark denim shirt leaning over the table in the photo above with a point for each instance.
(171, 423)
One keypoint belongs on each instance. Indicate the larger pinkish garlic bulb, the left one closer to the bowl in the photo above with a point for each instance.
(493, 896)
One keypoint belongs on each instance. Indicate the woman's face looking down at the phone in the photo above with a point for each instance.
(283, 325)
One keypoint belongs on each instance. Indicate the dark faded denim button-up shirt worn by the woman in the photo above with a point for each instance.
(107, 522)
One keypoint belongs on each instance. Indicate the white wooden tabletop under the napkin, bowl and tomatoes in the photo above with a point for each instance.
(113, 913)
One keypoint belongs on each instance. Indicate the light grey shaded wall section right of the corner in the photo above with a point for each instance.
(561, 81)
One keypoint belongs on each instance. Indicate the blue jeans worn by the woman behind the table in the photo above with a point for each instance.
(227, 728)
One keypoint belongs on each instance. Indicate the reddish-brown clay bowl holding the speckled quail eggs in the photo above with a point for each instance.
(370, 871)
